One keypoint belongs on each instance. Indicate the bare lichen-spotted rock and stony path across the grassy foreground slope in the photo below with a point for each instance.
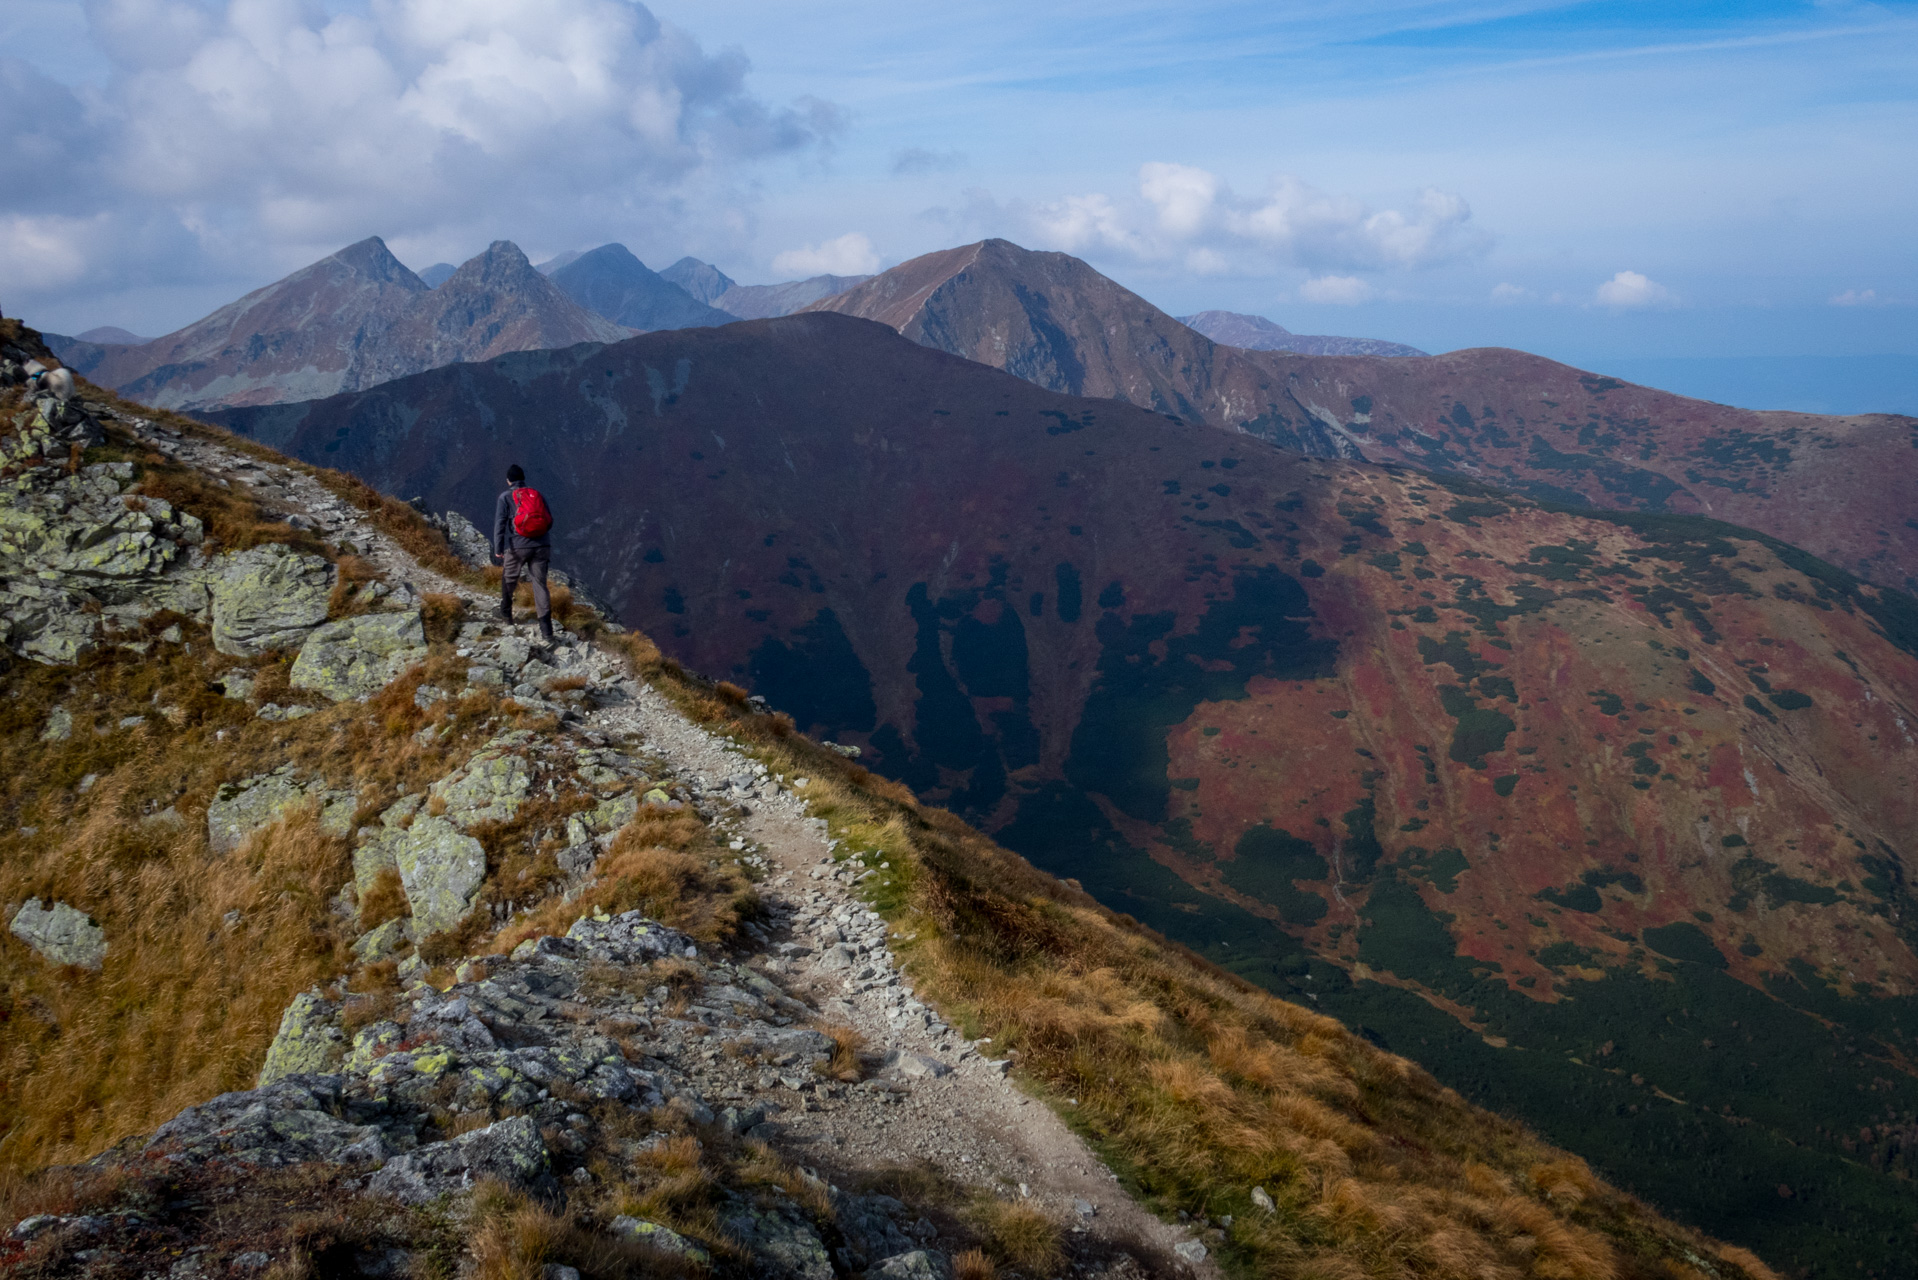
(580, 1051)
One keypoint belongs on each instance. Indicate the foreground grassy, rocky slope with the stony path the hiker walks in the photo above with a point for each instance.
(404, 943)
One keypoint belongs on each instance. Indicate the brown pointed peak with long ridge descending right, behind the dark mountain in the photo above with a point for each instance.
(1840, 488)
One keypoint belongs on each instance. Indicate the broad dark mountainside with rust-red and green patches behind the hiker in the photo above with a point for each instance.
(1566, 807)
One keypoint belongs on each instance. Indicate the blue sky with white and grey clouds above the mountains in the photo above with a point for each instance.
(1587, 181)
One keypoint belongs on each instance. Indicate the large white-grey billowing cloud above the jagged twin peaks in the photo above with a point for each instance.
(271, 131)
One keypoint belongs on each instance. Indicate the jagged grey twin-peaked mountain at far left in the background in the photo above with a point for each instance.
(342, 325)
